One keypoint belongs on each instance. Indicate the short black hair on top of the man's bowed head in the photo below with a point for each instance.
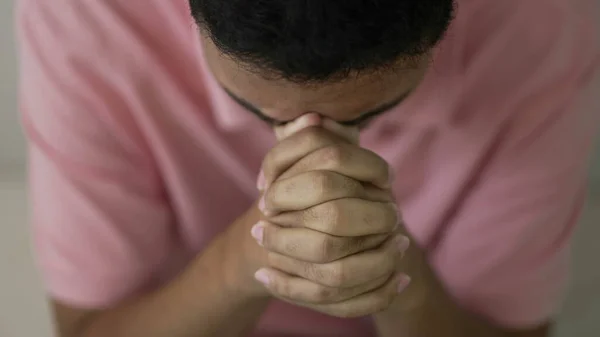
(322, 40)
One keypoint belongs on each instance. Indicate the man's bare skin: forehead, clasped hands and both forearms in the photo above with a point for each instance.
(324, 235)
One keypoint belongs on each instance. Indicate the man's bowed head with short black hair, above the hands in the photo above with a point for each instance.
(347, 60)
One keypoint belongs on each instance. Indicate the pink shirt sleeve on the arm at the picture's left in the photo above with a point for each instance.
(100, 222)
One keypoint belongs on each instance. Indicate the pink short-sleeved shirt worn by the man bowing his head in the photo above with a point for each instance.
(138, 159)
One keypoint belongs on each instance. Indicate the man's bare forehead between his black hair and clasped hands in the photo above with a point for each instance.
(340, 100)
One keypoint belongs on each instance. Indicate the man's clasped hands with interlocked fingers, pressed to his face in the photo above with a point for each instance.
(331, 226)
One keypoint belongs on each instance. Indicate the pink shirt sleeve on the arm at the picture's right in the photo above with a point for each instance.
(505, 252)
